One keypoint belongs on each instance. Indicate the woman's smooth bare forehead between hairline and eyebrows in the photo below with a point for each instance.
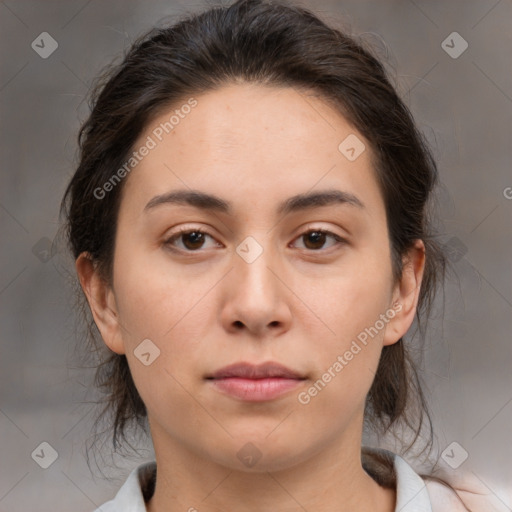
(250, 143)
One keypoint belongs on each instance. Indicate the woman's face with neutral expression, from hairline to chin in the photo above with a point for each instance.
(261, 284)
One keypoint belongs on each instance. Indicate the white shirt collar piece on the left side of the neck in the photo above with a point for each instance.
(135, 491)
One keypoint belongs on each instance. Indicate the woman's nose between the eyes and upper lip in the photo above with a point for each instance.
(257, 297)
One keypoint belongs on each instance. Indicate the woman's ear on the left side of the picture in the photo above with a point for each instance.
(100, 297)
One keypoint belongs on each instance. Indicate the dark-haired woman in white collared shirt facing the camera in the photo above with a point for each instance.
(250, 226)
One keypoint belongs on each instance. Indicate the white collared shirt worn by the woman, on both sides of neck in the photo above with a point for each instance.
(413, 494)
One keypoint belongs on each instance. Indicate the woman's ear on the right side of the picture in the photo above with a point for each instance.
(406, 294)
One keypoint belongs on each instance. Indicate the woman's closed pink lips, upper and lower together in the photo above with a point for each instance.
(255, 383)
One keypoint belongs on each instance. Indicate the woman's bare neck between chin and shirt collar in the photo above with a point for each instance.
(332, 480)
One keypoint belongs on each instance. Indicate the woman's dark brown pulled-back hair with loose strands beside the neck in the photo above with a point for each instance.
(274, 44)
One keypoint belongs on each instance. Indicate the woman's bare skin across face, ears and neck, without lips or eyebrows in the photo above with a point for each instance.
(299, 303)
